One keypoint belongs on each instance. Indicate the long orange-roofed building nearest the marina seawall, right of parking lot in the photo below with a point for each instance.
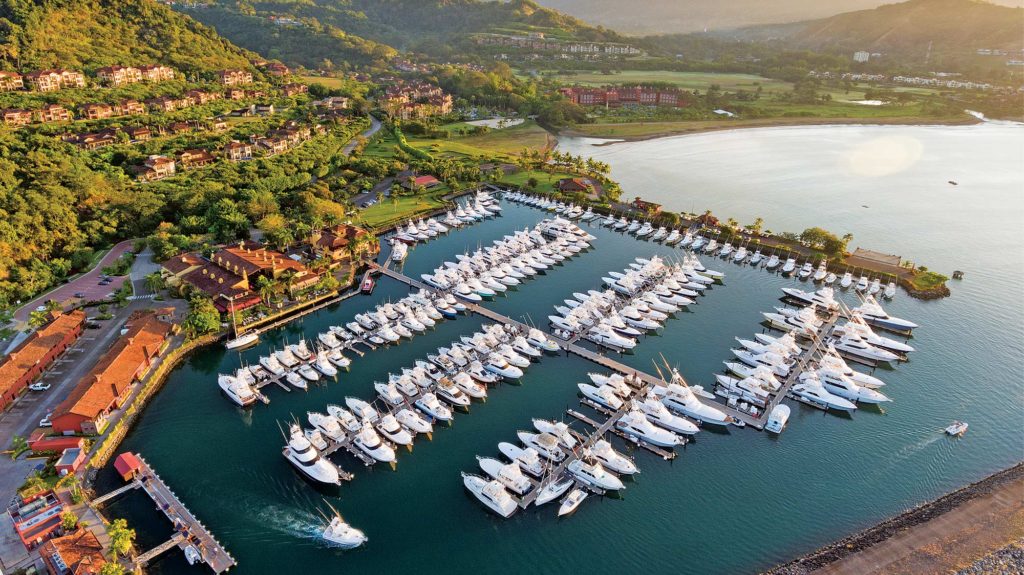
(105, 389)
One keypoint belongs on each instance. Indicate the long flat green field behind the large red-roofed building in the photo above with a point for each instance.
(687, 80)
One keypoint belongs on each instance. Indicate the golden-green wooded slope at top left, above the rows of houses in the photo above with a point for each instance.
(82, 34)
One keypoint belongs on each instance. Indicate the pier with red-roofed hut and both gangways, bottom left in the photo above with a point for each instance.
(189, 532)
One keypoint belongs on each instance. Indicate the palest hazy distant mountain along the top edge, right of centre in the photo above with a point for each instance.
(676, 17)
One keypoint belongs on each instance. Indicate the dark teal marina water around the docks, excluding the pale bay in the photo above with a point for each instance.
(732, 503)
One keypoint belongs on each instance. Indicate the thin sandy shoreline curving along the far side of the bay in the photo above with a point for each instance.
(697, 126)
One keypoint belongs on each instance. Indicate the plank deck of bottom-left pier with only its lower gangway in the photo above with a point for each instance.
(189, 529)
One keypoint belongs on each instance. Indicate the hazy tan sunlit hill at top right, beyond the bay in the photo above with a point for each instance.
(950, 26)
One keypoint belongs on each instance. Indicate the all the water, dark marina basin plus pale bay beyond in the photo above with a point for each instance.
(733, 503)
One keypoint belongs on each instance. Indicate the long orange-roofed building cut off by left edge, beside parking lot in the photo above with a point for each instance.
(36, 353)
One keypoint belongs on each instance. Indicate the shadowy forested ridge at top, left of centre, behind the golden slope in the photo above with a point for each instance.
(440, 28)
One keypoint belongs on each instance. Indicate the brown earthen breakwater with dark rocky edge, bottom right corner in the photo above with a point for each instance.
(909, 524)
